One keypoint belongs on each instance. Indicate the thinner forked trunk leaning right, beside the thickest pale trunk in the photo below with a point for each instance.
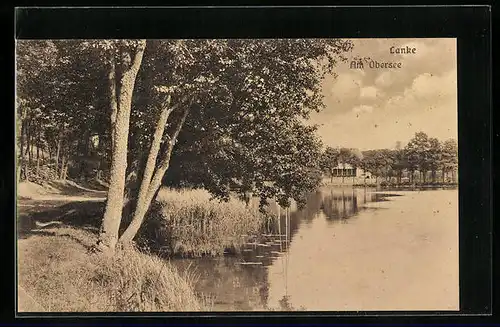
(149, 189)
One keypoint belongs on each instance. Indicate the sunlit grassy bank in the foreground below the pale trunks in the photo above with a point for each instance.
(56, 273)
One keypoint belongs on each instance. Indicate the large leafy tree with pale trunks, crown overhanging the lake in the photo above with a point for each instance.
(243, 100)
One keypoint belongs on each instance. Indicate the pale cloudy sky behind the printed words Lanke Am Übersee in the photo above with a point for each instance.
(374, 108)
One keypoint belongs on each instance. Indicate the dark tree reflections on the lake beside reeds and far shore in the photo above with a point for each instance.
(232, 286)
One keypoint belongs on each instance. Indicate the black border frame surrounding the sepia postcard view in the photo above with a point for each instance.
(471, 25)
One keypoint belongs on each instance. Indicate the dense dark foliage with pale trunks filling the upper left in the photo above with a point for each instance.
(232, 109)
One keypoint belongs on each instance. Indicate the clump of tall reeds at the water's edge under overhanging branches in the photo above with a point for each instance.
(189, 223)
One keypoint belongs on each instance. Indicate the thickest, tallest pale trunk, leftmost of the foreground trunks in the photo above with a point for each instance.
(108, 235)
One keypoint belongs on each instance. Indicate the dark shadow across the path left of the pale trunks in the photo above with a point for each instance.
(84, 215)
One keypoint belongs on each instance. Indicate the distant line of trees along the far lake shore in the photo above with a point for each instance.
(422, 160)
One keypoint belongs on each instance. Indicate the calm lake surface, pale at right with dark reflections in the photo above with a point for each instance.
(349, 249)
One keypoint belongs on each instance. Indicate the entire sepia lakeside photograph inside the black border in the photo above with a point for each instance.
(235, 175)
